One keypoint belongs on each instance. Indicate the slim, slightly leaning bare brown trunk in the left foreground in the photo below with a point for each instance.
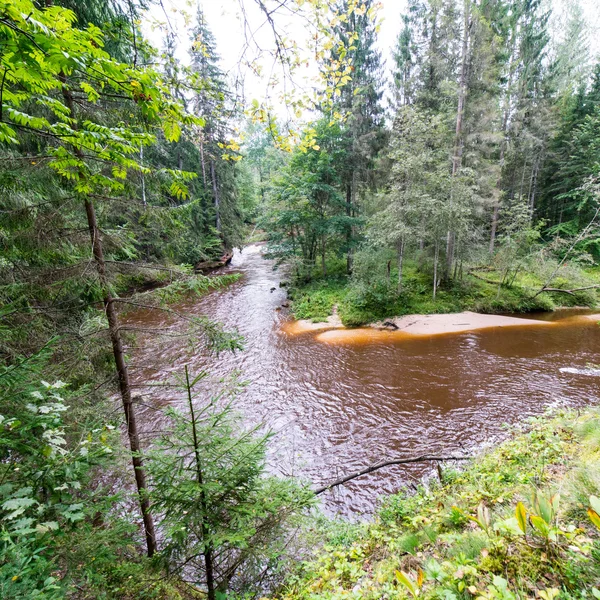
(121, 366)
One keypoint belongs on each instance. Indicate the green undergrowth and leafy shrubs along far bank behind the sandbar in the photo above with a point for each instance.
(370, 295)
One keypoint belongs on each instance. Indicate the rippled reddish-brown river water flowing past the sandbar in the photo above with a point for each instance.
(338, 407)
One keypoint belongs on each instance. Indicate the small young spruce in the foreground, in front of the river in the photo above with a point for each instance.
(223, 518)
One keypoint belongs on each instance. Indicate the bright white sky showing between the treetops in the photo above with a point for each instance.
(234, 41)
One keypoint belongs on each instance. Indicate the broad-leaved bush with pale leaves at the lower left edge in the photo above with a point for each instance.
(44, 473)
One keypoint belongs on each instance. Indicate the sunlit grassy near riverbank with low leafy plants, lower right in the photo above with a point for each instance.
(516, 523)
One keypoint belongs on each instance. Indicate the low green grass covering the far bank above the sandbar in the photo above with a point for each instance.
(362, 302)
